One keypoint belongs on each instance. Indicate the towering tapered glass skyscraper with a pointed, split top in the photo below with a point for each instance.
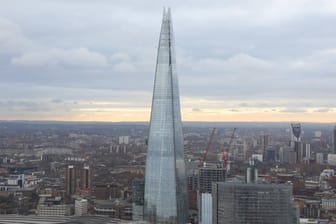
(165, 180)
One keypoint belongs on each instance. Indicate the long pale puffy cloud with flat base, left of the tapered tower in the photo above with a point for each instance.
(57, 56)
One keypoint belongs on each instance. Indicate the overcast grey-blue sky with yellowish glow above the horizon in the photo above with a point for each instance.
(84, 60)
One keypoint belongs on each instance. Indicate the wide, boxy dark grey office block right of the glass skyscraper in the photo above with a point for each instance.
(253, 203)
